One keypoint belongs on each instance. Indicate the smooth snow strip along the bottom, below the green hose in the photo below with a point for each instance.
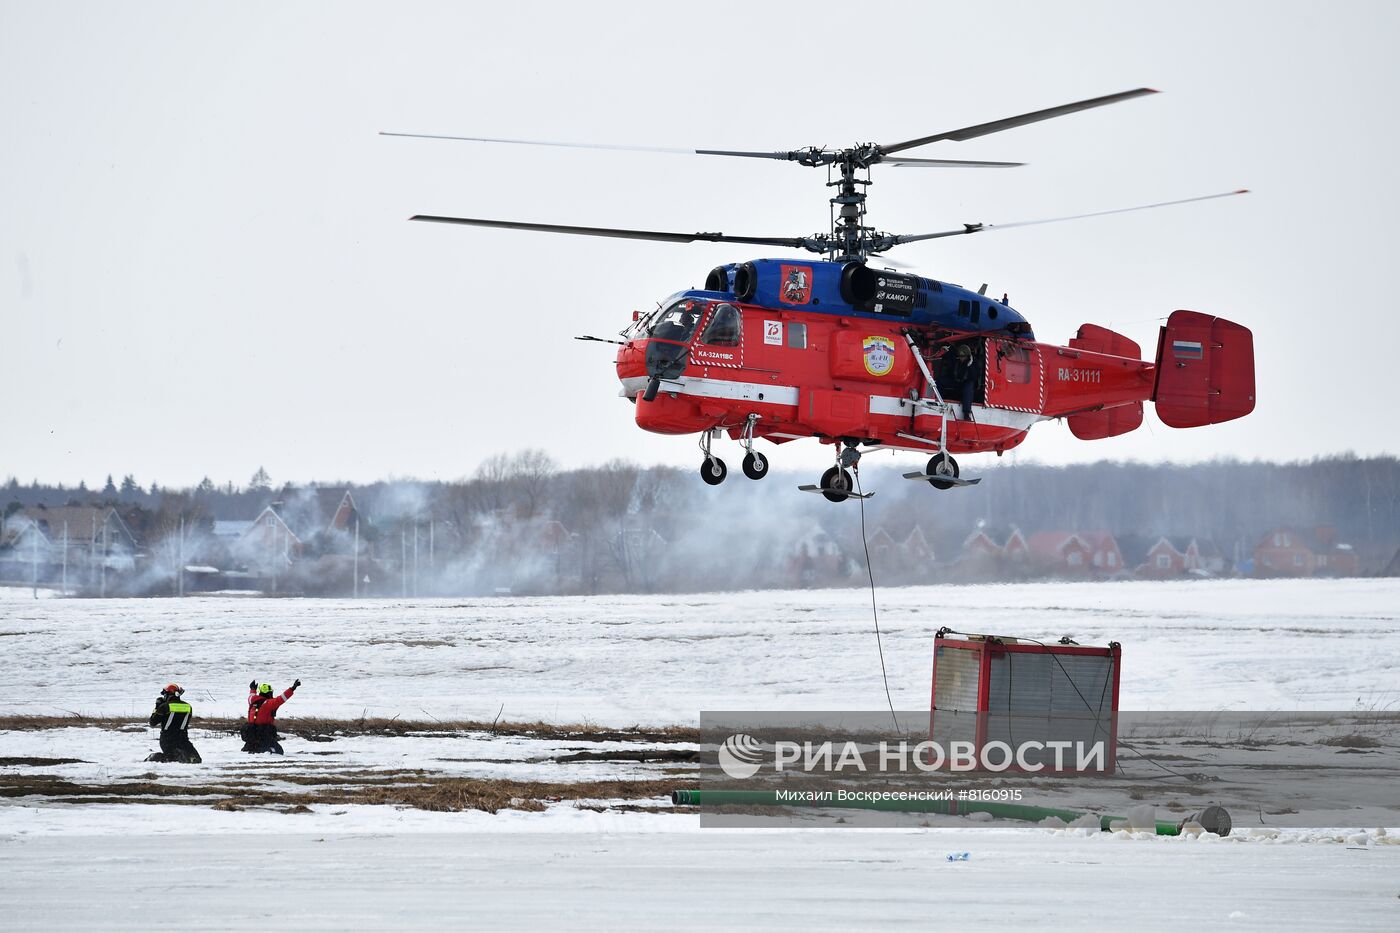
(625, 880)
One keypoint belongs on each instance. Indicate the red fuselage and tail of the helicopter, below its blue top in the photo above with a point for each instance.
(915, 383)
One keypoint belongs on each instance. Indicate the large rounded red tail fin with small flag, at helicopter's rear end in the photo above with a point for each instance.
(1205, 371)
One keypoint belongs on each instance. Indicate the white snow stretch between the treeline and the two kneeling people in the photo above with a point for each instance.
(661, 661)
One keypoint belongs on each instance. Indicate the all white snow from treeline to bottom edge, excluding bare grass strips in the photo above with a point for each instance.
(625, 661)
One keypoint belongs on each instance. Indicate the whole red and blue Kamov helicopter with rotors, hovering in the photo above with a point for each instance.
(864, 358)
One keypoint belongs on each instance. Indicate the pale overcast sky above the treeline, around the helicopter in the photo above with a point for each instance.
(205, 264)
